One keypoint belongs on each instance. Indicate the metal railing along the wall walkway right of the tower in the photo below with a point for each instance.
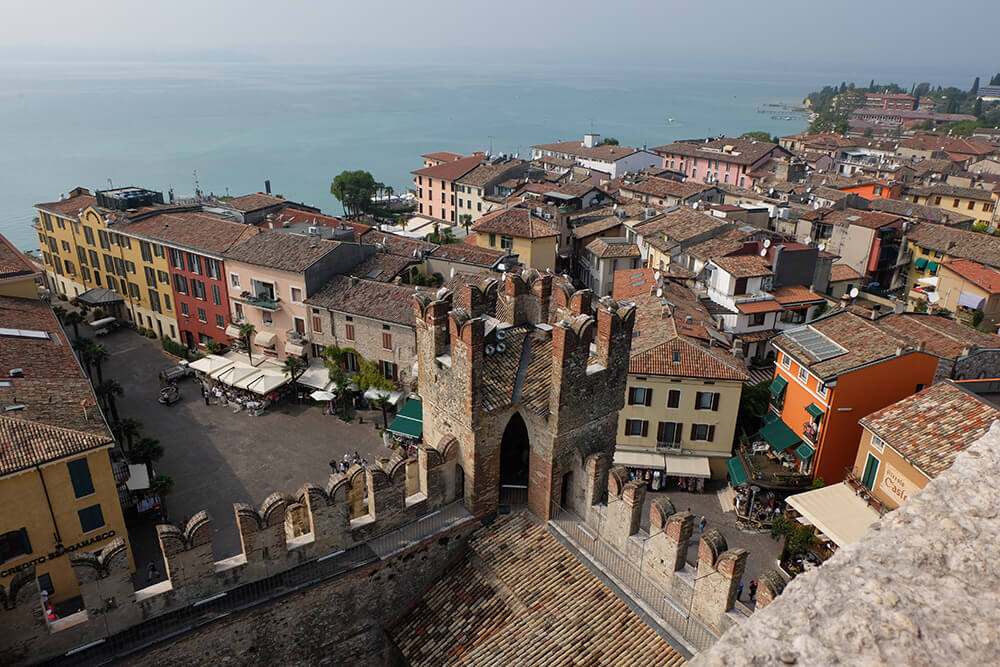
(673, 608)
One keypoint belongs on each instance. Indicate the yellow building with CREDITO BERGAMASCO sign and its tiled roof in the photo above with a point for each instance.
(57, 487)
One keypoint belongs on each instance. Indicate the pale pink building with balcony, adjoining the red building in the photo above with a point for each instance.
(269, 278)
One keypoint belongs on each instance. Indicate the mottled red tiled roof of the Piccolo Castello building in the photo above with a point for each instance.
(932, 427)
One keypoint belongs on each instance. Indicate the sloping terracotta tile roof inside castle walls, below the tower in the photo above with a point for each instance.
(519, 597)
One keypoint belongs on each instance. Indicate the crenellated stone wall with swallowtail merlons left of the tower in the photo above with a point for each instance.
(289, 537)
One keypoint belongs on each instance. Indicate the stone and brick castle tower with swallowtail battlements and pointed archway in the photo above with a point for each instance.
(521, 381)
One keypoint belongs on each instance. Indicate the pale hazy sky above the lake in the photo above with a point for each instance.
(896, 35)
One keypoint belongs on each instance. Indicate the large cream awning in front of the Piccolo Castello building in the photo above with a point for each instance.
(836, 511)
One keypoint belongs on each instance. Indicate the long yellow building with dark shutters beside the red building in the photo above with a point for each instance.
(82, 251)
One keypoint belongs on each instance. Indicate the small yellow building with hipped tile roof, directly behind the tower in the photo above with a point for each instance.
(518, 230)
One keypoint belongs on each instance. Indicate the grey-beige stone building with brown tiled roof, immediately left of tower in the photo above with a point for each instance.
(374, 321)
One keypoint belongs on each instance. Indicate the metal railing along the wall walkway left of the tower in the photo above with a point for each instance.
(121, 641)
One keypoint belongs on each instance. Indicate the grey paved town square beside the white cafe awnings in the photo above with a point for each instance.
(216, 457)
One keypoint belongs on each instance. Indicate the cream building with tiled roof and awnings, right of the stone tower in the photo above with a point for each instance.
(683, 391)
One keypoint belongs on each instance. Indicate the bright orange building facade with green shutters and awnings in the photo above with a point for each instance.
(823, 412)
